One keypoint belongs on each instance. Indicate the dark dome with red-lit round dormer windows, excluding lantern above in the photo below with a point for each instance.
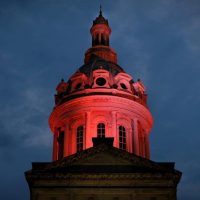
(100, 76)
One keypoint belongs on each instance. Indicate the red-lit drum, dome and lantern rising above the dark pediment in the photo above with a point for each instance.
(100, 92)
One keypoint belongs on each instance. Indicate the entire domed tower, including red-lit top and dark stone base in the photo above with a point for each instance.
(100, 125)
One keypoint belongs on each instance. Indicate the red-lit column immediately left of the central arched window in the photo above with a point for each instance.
(87, 136)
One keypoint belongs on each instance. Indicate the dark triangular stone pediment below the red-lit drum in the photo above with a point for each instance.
(103, 157)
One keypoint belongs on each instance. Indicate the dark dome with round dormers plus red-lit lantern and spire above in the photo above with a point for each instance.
(100, 74)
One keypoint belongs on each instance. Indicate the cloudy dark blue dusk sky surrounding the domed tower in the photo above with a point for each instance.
(42, 41)
